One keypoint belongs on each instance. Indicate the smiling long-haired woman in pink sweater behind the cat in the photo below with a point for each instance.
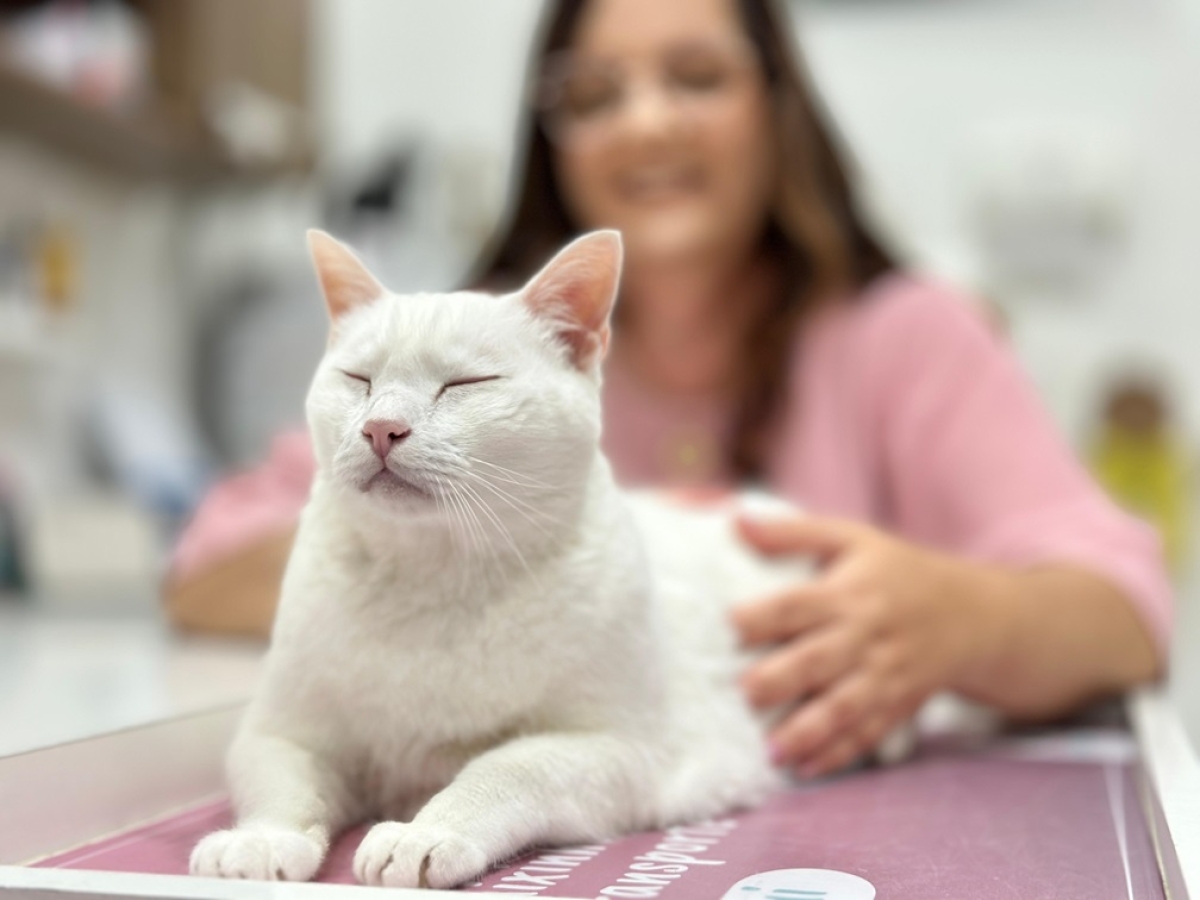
(765, 335)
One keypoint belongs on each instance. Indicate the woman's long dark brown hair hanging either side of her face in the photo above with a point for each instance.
(819, 239)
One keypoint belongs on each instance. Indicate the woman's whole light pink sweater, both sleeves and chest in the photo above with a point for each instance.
(905, 411)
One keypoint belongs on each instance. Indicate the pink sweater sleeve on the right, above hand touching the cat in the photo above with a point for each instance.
(973, 464)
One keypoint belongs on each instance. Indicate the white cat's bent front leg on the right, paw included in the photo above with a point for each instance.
(538, 790)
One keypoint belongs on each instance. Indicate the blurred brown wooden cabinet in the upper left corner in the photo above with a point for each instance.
(227, 95)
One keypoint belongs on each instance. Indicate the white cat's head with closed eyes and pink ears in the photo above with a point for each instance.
(467, 407)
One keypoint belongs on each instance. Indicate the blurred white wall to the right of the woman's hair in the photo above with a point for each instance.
(914, 85)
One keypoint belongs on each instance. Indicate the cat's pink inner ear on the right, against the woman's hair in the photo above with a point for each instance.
(577, 292)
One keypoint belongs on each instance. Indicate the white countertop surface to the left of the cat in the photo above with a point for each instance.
(70, 676)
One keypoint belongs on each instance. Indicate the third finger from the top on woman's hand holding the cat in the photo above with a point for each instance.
(802, 668)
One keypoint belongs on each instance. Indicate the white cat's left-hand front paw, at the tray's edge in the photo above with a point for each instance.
(260, 853)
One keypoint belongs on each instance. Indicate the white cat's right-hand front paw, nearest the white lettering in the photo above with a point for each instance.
(395, 855)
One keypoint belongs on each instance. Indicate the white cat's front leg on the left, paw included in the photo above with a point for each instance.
(289, 803)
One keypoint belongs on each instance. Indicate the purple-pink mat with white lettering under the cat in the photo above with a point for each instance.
(945, 826)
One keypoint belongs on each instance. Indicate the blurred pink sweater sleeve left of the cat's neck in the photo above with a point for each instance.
(250, 507)
